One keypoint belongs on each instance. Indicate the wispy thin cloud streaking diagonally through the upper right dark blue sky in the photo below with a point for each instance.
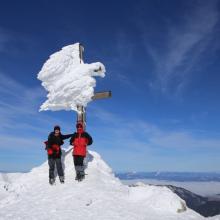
(183, 46)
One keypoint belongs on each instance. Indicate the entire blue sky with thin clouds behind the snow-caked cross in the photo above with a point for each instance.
(162, 62)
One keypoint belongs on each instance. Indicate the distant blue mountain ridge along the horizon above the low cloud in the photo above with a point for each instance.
(171, 176)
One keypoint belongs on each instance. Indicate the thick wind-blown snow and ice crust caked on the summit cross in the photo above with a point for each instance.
(69, 83)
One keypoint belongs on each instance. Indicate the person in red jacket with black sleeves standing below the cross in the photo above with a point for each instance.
(80, 140)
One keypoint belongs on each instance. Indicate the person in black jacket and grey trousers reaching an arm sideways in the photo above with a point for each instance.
(53, 147)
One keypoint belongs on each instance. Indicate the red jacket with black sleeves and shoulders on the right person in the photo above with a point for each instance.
(80, 142)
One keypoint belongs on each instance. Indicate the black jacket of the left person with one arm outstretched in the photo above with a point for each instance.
(52, 139)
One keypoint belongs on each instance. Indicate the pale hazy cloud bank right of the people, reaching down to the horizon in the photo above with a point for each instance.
(133, 144)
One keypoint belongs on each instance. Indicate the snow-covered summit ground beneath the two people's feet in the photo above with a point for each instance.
(101, 196)
